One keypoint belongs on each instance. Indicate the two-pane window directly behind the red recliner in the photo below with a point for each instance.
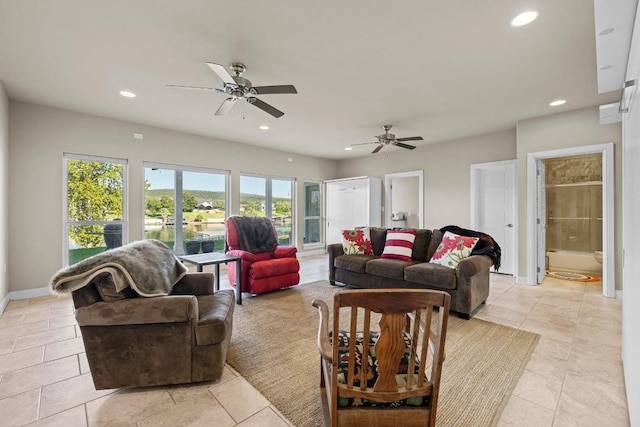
(271, 198)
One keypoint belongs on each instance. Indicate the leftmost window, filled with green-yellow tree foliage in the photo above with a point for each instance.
(94, 206)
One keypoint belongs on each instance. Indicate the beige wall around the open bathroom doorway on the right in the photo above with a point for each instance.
(564, 130)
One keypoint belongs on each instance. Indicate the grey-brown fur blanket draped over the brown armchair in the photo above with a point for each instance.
(147, 266)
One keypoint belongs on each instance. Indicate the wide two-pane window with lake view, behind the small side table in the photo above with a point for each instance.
(185, 208)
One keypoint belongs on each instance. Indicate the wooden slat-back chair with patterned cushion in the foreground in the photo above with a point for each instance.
(407, 340)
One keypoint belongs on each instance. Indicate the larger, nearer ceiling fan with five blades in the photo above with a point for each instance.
(237, 87)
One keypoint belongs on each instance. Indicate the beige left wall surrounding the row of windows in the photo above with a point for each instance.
(38, 137)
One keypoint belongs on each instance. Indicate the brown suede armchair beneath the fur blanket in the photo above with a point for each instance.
(132, 341)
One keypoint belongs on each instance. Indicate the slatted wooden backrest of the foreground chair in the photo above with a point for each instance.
(408, 344)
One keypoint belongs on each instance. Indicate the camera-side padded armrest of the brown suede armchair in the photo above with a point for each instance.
(139, 311)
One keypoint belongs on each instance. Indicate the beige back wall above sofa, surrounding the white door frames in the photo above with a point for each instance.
(446, 168)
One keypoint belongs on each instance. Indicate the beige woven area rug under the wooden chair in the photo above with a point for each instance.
(274, 348)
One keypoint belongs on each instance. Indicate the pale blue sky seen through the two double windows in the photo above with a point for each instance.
(164, 178)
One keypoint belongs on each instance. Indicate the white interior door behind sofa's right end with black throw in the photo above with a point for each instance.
(494, 207)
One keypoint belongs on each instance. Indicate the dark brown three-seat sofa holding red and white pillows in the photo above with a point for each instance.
(468, 284)
